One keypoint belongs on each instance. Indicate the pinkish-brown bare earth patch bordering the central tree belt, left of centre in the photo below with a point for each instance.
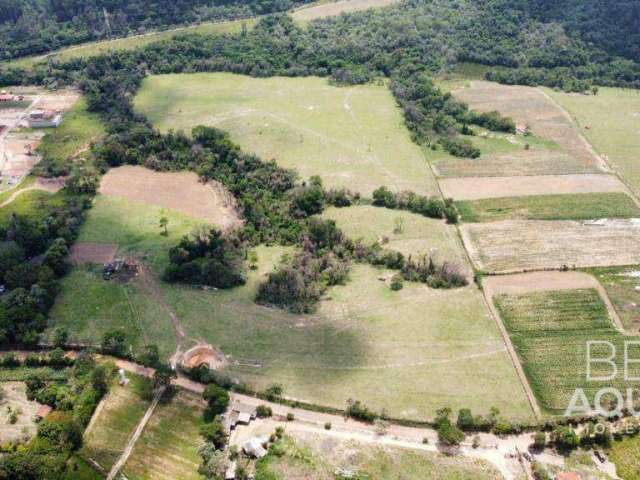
(180, 191)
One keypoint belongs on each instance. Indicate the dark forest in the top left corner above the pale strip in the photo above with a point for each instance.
(29, 27)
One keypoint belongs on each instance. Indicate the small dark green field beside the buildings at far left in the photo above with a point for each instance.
(78, 130)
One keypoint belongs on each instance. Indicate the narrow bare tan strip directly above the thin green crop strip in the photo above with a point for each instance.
(476, 188)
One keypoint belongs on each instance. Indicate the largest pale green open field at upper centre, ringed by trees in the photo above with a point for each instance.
(352, 137)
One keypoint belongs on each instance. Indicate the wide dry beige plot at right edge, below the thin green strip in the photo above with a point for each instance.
(518, 245)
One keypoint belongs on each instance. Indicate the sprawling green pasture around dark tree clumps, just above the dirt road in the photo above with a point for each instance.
(410, 352)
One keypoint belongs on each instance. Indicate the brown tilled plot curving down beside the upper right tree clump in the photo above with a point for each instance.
(531, 107)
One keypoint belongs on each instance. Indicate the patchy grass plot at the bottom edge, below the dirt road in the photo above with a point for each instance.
(307, 459)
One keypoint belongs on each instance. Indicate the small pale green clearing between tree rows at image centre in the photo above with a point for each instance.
(418, 236)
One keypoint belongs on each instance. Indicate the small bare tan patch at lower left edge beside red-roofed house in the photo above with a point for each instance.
(14, 400)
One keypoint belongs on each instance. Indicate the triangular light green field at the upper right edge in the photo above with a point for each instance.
(611, 122)
